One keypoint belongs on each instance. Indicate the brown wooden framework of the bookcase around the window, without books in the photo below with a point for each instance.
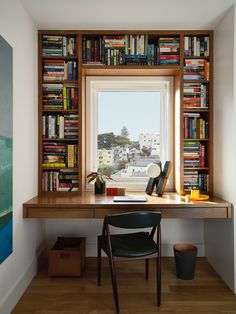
(130, 70)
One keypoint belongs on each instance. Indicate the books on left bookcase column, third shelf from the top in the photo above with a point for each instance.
(60, 96)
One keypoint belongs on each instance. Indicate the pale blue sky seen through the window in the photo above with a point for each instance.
(138, 111)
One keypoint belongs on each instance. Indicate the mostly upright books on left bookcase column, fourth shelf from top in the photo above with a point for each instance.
(60, 126)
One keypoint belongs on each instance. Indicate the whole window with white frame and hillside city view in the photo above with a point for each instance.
(129, 125)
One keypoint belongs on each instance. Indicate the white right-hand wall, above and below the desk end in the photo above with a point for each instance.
(219, 235)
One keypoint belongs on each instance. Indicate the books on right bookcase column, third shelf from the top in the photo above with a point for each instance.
(196, 95)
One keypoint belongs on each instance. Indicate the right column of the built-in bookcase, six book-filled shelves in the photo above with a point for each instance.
(197, 109)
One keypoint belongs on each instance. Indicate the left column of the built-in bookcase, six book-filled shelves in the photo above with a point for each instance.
(59, 103)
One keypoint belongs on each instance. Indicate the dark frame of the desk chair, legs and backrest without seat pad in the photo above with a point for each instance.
(105, 244)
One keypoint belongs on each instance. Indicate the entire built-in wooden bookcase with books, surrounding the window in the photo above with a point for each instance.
(66, 58)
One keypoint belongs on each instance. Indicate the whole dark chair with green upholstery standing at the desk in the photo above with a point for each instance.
(130, 246)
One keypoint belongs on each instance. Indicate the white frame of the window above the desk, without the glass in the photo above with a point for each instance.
(162, 84)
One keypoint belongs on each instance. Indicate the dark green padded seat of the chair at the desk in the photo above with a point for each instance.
(132, 245)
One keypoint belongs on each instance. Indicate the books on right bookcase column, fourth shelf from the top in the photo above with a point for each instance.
(195, 127)
